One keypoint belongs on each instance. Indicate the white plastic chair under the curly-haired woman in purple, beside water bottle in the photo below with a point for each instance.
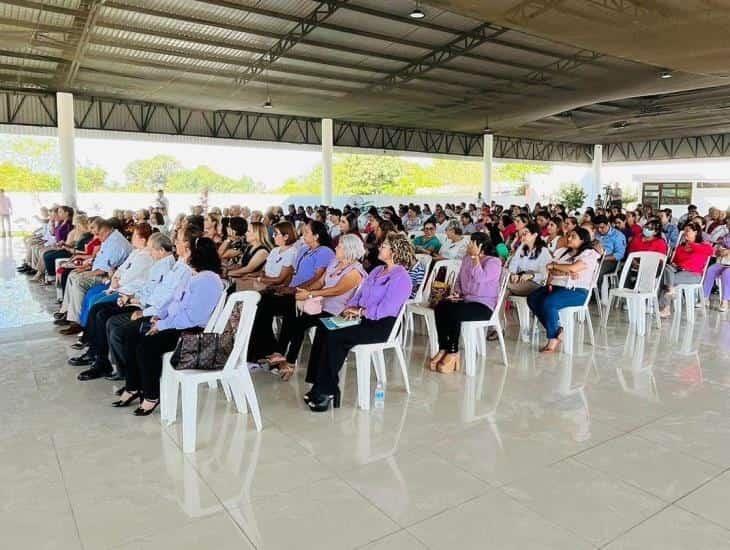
(365, 352)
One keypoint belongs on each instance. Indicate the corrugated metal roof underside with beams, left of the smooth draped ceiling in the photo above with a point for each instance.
(368, 59)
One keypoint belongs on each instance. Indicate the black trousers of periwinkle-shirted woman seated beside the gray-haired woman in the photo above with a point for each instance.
(263, 341)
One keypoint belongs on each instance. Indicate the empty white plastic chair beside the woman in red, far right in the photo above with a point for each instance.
(645, 291)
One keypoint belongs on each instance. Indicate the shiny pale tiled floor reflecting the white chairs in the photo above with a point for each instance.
(625, 446)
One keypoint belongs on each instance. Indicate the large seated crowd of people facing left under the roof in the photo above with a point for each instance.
(128, 286)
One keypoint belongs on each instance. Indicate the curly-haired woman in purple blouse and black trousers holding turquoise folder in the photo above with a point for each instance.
(377, 305)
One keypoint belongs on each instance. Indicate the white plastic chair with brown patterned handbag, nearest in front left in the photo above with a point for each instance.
(238, 380)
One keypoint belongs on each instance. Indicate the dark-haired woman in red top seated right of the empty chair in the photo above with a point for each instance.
(687, 266)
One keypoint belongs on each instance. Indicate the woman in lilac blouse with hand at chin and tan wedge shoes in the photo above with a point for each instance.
(474, 298)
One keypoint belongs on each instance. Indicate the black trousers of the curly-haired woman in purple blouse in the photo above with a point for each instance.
(331, 347)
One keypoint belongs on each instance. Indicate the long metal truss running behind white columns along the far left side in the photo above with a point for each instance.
(94, 113)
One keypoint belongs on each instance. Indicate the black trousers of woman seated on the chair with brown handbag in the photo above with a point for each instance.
(144, 374)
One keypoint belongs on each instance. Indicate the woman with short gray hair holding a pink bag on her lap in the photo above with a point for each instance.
(326, 298)
